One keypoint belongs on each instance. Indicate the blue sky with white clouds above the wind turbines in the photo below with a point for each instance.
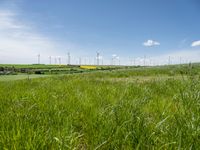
(123, 28)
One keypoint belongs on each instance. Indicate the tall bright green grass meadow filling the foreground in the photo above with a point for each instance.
(135, 108)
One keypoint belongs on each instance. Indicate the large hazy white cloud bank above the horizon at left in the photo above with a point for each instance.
(20, 43)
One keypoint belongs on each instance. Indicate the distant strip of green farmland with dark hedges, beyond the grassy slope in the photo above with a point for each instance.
(15, 69)
